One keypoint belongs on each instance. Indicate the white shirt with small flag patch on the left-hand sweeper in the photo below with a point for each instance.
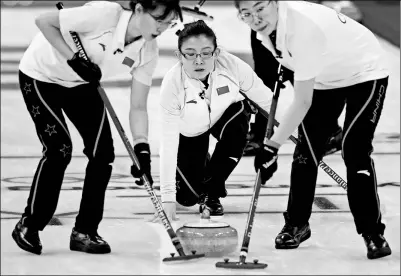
(101, 26)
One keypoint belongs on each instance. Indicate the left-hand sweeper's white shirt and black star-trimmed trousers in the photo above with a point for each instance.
(50, 87)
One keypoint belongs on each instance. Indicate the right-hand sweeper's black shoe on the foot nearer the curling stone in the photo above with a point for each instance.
(291, 236)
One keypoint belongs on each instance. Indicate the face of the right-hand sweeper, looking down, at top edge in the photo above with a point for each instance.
(261, 16)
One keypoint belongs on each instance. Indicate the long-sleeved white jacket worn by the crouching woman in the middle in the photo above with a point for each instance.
(184, 111)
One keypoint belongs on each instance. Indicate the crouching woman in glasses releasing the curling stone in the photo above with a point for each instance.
(201, 96)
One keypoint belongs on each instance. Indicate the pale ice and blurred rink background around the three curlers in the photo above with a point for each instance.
(128, 205)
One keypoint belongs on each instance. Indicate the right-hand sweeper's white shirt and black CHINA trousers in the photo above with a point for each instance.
(349, 67)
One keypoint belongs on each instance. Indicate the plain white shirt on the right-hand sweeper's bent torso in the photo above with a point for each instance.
(317, 42)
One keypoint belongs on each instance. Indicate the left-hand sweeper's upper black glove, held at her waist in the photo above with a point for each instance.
(87, 70)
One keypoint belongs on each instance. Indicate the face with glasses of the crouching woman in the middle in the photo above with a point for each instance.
(198, 55)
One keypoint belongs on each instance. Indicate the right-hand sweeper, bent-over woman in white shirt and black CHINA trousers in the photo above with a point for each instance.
(336, 62)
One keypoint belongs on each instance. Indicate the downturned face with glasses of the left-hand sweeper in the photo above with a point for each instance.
(148, 24)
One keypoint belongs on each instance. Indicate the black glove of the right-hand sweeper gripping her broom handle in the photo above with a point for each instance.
(266, 160)
